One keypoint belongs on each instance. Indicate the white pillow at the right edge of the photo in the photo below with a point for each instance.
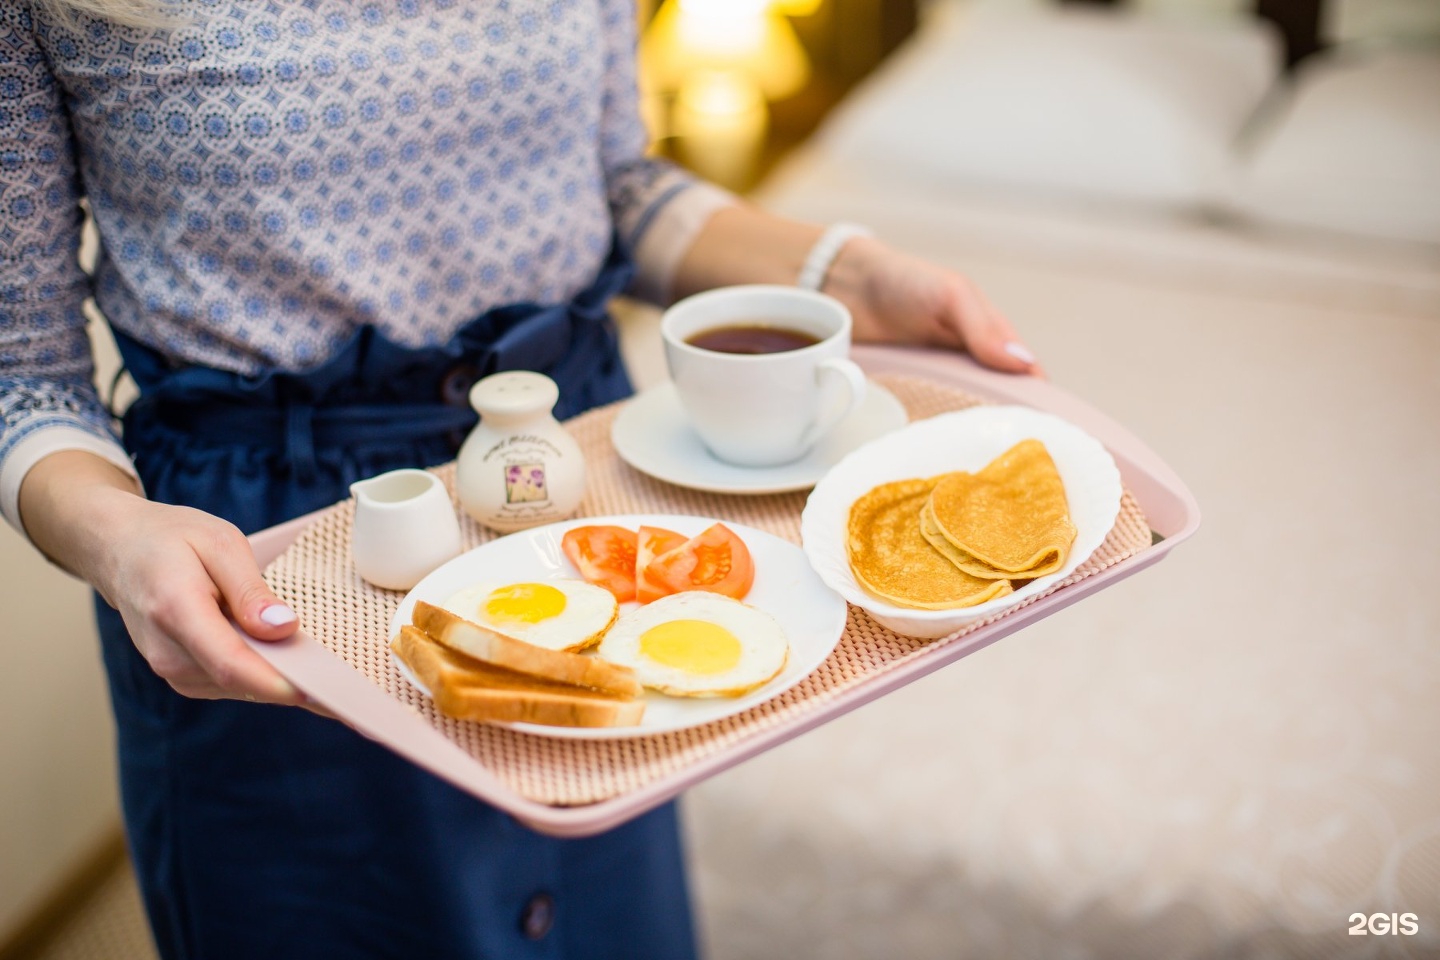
(1354, 148)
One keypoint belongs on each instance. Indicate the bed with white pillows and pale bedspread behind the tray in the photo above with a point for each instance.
(1233, 755)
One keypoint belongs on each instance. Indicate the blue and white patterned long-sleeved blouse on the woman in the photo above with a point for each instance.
(271, 173)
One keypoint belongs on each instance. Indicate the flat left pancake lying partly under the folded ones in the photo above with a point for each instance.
(894, 562)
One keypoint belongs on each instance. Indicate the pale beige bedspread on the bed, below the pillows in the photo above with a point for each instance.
(1225, 756)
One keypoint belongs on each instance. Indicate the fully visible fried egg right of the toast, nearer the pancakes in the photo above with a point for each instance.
(699, 644)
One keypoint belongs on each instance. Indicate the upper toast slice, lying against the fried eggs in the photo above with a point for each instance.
(483, 644)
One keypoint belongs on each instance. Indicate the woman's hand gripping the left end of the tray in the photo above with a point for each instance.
(174, 574)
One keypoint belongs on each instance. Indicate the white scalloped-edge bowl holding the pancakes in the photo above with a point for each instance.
(960, 441)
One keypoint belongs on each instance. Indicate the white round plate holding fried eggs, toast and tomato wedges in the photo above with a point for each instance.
(786, 588)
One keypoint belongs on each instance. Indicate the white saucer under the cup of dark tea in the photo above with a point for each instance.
(652, 435)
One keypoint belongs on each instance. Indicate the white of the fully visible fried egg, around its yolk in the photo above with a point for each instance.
(762, 656)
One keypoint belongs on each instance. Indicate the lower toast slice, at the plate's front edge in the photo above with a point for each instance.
(467, 689)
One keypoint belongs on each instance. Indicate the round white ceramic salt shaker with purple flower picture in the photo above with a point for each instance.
(519, 467)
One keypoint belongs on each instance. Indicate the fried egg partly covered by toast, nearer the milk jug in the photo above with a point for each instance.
(559, 615)
